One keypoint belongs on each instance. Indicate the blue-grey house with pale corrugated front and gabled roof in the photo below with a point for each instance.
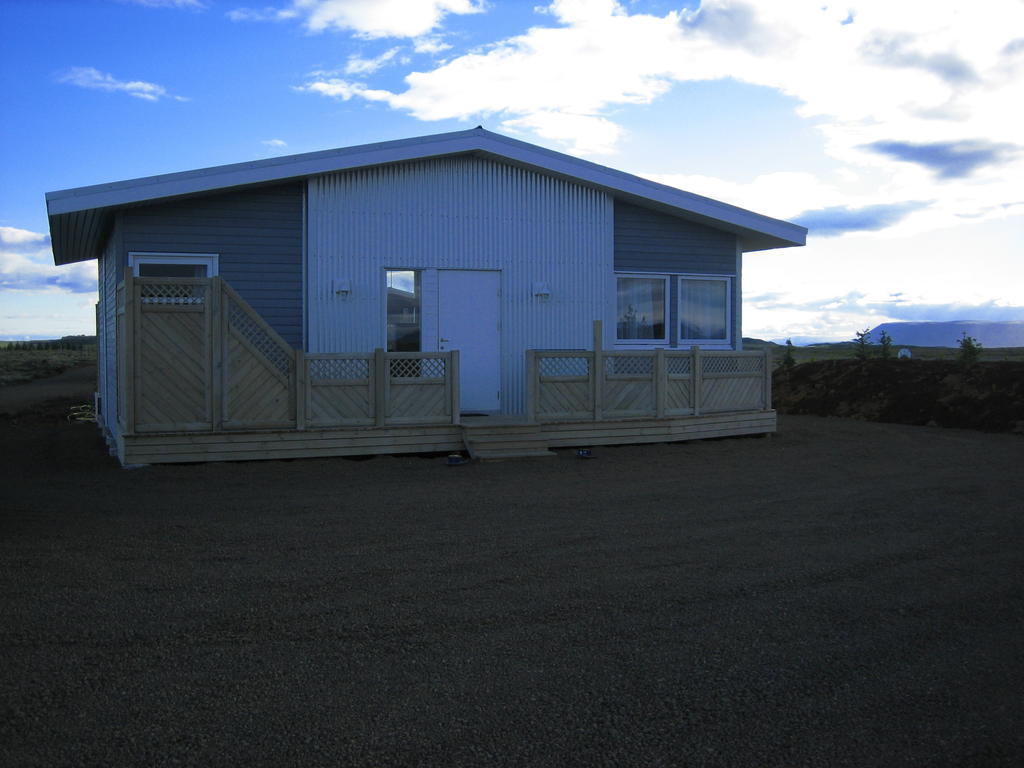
(471, 241)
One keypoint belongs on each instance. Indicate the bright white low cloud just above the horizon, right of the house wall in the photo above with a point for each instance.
(846, 284)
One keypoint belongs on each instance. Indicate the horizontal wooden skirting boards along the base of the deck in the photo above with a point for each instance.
(291, 444)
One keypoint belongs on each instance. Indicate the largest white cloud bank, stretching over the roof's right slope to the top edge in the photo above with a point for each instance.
(886, 83)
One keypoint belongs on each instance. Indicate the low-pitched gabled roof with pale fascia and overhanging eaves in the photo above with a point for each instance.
(80, 219)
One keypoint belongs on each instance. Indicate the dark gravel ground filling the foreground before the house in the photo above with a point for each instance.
(843, 594)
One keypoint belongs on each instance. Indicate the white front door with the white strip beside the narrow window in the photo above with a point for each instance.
(468, 318)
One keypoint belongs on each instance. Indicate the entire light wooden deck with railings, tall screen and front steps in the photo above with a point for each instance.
(202, 377)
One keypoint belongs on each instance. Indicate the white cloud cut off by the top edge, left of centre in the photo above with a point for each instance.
(369, 19)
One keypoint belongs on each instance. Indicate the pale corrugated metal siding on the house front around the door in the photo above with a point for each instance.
(460, 214)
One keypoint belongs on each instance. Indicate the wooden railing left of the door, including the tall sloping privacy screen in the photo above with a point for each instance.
(194, 357)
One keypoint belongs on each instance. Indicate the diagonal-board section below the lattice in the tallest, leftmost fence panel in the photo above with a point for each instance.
(172, 372)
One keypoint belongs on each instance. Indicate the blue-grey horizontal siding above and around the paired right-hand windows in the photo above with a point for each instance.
(649, 241)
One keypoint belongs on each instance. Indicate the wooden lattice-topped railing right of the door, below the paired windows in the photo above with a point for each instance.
(599, 385)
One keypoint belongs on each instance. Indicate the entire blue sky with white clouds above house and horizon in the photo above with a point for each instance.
(893, 131)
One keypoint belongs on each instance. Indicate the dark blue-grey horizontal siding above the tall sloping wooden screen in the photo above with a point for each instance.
(258, 234)
